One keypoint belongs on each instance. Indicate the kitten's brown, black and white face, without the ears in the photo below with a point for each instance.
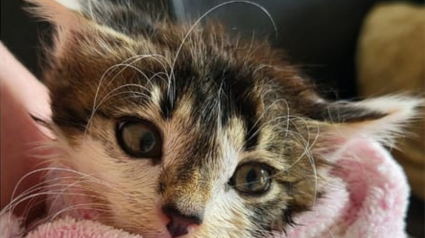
(214, 138)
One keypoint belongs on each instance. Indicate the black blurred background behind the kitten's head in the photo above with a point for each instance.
(320, 36)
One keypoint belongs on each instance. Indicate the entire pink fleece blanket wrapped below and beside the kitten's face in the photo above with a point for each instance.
(368, 198)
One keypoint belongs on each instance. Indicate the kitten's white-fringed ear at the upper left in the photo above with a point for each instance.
(79, 40)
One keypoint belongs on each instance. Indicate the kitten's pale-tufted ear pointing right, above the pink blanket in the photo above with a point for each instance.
(380, 119)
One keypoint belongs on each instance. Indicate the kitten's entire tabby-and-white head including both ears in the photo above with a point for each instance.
(183, 130)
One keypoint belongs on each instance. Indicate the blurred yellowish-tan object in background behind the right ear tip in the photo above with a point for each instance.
(391, 59)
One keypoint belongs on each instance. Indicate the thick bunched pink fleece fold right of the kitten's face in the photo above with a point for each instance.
(368, 198)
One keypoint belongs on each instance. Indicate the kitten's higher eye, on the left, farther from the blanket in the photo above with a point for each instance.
(139, 138)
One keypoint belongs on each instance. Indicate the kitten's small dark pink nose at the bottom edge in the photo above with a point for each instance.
(179, 221)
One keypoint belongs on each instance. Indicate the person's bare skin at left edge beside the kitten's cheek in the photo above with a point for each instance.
(22, 95)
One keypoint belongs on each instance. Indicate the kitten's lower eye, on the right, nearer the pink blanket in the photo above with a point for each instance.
(251, 178)
